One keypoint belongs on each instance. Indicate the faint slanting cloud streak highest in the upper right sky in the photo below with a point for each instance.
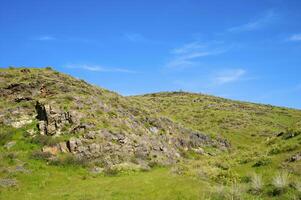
(256, 24)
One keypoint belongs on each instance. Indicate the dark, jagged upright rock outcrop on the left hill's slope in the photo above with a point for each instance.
(51, 121)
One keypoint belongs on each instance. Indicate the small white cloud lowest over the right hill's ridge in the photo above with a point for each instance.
(228, 76)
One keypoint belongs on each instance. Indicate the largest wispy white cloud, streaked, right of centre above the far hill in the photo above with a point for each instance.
(188, 55)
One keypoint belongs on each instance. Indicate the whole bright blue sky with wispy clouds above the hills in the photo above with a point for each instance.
(245, 50)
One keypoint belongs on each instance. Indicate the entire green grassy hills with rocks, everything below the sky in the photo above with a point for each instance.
(61, 137)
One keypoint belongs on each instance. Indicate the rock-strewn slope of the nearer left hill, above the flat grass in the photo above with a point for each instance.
(94, 123)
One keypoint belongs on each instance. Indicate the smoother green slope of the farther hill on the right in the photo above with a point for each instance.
(265, 139)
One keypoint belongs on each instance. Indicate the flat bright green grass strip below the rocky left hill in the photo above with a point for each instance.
(71, 183)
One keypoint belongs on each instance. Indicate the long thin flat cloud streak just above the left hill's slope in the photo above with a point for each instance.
(98, 68)
